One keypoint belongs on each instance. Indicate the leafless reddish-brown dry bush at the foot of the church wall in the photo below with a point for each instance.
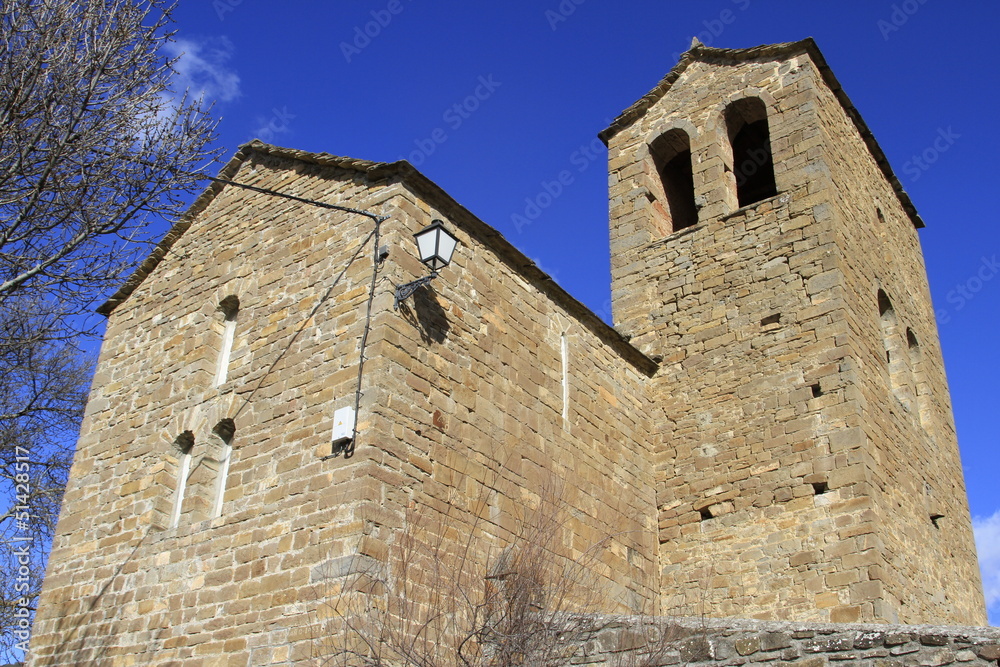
(454, 593)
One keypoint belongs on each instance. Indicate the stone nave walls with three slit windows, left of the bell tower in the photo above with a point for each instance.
(461, 427)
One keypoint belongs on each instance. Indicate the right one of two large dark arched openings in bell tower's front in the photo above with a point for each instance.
(750, 138)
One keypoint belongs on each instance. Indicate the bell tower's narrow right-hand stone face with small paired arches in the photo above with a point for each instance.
(928, 565)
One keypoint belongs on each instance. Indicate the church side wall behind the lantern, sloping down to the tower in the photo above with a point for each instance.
(497, 394)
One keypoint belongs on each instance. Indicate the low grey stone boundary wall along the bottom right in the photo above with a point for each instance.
(653, 642)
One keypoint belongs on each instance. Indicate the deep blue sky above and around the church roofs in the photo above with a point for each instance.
(492, 100)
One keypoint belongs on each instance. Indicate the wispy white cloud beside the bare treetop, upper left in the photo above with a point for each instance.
(202, 68)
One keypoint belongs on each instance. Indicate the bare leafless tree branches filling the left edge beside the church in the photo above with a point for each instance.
(94, 145)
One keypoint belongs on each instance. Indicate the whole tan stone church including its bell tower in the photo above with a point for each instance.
(764, 433)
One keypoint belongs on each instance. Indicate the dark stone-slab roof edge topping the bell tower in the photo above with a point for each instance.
(700, 52)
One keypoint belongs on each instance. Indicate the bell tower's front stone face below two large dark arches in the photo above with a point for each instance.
(764, 508)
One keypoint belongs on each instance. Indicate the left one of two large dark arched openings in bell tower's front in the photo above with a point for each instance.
(671, 153)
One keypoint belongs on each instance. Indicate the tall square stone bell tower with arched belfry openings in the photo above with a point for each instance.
(806, 464)
